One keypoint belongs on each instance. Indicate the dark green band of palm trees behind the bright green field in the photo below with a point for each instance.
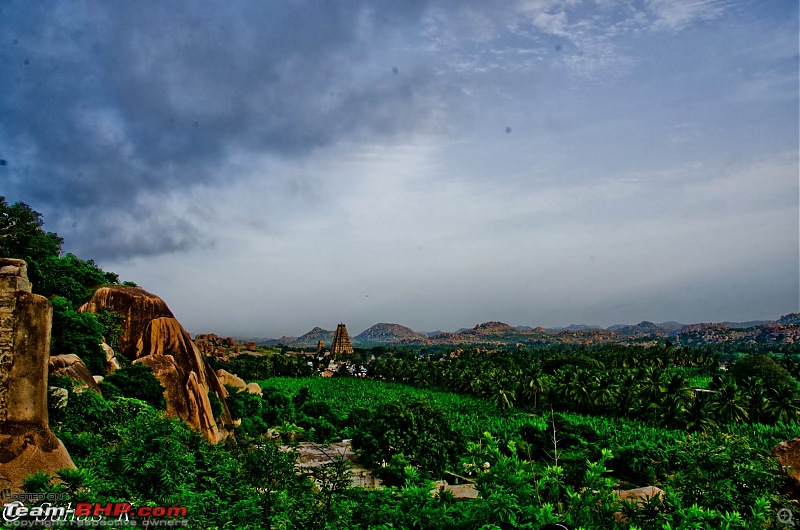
(652, 384)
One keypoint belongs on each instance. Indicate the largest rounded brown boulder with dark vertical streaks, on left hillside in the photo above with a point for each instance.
(152, 336)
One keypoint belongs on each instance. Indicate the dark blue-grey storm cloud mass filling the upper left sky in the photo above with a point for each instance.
(105, 105)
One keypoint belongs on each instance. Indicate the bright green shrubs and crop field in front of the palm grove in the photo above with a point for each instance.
(544, 468)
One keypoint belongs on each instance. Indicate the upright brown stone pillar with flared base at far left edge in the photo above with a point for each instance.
(27, 445)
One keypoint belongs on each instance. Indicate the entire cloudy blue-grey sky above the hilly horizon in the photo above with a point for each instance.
(271, 166)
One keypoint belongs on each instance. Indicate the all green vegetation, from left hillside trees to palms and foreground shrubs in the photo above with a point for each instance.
(545, 433)
